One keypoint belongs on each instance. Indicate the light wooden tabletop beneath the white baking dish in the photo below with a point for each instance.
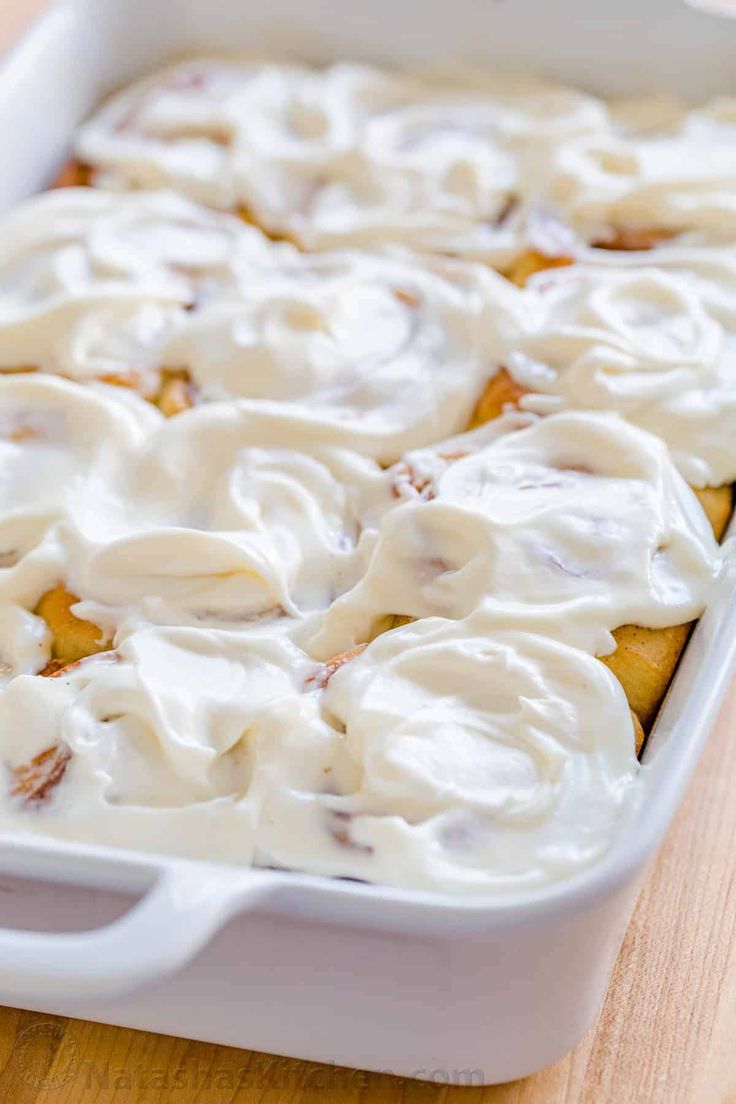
(667, 1034)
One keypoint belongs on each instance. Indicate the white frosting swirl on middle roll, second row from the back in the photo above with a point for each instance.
(387, 354)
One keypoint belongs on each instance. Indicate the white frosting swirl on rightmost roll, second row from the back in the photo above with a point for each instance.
(654, 339)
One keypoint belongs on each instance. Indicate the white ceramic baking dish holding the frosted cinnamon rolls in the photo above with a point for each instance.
(444, 990)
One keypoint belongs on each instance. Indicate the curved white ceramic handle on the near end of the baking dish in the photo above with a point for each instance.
(164, 931)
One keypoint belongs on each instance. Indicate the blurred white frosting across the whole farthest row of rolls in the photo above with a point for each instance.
(454, 163)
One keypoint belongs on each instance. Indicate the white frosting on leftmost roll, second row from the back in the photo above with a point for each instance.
(92, 282)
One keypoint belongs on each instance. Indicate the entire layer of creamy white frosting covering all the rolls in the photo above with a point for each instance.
(347, 636)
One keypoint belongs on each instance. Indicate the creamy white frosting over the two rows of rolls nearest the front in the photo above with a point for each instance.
(482, 752)
